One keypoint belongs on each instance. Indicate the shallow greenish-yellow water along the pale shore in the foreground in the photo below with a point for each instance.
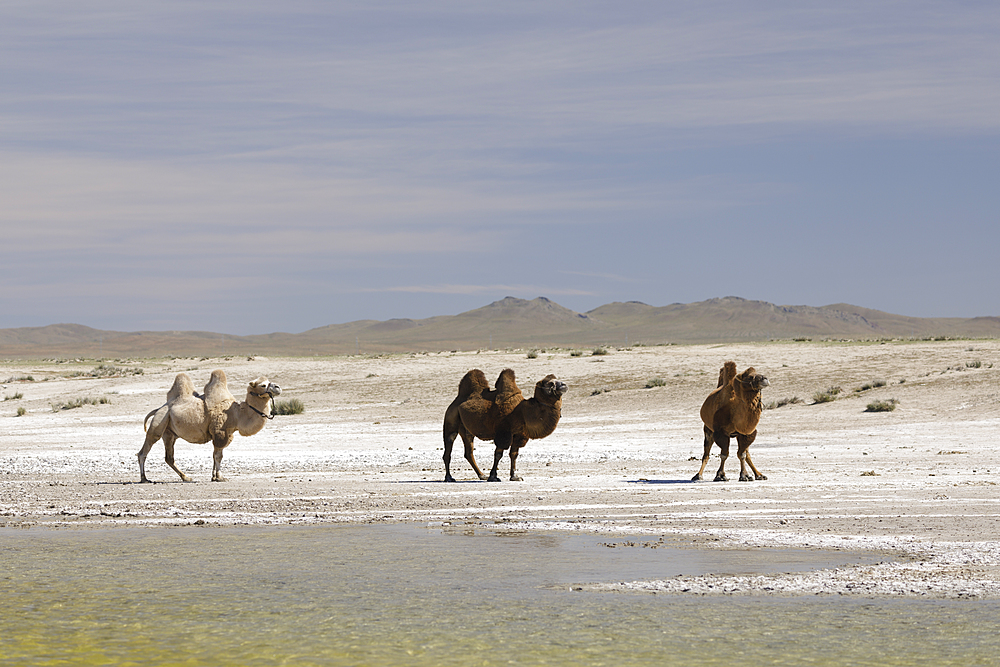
(390, 595)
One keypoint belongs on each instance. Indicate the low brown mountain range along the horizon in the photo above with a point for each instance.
(511, 323)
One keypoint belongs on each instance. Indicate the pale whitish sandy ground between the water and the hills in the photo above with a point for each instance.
(918, 483)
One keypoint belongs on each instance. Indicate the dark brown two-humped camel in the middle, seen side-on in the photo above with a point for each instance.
(501, 415)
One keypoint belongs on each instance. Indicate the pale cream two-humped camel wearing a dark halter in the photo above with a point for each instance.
(214, 416)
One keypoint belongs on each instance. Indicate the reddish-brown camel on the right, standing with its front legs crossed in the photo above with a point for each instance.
(733, 409)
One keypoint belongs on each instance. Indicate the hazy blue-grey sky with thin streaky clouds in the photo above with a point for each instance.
(248, 167)
